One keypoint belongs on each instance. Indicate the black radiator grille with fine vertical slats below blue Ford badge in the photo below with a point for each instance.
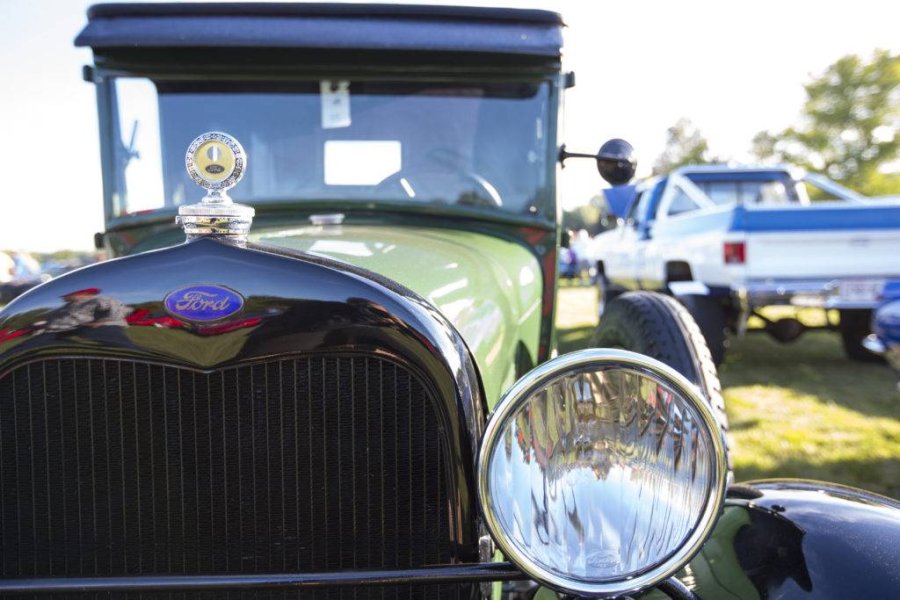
(314, 463)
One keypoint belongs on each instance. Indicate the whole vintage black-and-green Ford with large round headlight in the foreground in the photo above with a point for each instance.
(359, 396)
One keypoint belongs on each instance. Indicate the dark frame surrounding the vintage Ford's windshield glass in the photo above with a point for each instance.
(542, 214)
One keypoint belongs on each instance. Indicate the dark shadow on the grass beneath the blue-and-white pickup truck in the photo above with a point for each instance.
(814, 365)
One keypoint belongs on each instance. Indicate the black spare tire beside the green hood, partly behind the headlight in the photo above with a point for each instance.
(659, 327)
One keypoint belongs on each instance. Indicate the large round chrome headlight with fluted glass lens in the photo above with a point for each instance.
(601, 472)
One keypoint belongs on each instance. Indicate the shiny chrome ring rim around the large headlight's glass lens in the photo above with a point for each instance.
(603, 359)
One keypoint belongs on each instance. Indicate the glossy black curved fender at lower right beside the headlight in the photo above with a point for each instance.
(800, 539)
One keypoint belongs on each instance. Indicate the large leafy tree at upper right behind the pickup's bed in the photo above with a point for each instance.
(849, 125)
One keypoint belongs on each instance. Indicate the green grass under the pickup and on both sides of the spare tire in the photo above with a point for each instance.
(795, 410)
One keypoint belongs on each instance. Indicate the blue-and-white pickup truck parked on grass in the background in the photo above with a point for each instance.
(729, 241)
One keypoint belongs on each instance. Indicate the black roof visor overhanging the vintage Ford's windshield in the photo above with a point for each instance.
(324, 26)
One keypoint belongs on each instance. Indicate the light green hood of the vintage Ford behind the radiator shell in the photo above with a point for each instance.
(489, 288)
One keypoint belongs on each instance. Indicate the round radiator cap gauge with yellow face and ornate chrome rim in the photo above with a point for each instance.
(215, 161)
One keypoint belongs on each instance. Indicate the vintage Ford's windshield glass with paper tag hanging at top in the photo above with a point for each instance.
(457, 144)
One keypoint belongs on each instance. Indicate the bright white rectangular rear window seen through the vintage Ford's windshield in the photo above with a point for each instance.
(361, 162)
